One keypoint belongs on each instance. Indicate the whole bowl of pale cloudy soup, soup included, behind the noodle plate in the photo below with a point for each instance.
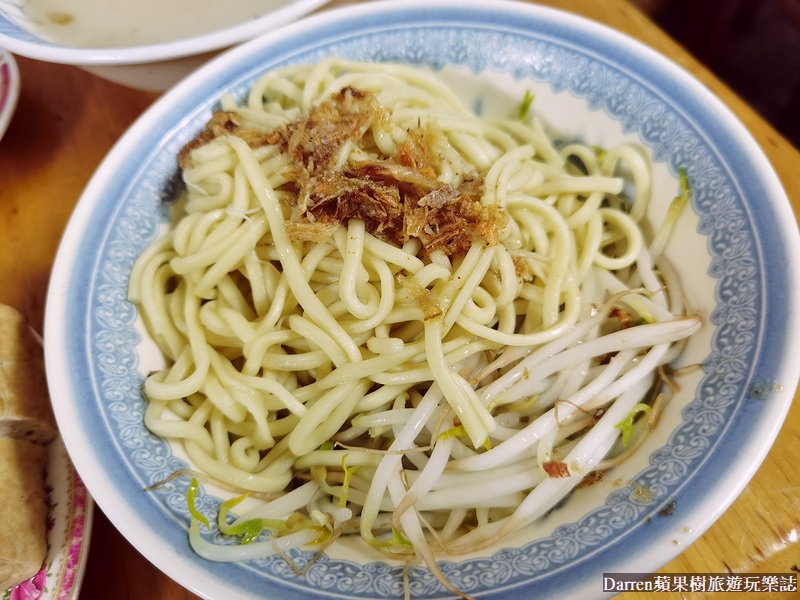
(148, 45)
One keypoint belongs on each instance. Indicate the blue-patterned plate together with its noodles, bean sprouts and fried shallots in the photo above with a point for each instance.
(425, 298)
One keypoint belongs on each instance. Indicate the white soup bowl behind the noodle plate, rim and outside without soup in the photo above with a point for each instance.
(154, 67)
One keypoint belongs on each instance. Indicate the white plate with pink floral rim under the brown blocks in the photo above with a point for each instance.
(69, 525)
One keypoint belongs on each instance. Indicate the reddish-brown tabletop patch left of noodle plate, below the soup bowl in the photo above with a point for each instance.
(66, 122)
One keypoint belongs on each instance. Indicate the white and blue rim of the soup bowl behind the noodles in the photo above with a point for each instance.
(26, 43)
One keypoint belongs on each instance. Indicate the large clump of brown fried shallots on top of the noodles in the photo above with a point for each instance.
(398, 197)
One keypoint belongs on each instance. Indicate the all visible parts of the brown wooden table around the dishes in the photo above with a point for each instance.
(67, 121)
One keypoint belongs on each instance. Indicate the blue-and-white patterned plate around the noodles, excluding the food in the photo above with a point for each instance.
(738, 243)
